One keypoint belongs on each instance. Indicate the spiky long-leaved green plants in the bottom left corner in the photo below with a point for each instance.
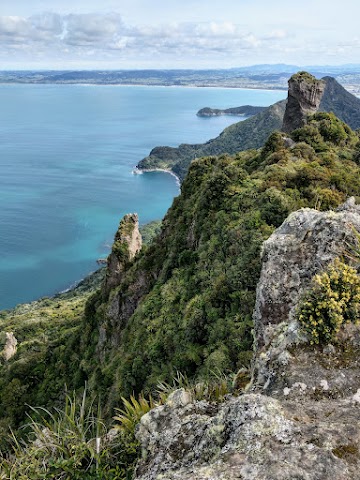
(70, 444)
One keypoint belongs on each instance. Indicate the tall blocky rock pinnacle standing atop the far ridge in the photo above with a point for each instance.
(304, 97)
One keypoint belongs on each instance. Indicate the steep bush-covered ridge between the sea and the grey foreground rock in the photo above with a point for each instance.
(198, 278)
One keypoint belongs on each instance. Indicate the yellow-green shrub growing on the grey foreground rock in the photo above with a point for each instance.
(333, 300)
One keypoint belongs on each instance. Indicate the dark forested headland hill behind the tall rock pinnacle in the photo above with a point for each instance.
(253, 132)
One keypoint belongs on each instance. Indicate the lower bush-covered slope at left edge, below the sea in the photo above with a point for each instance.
(46, 331)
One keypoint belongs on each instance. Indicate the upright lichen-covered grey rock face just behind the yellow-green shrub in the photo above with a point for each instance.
(302, 246)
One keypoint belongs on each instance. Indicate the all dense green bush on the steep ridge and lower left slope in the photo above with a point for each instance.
(197, 279)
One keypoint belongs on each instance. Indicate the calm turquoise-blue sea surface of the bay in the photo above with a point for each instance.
(66, 159)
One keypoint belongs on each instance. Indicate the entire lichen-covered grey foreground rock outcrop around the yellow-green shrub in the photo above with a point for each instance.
(300, 417)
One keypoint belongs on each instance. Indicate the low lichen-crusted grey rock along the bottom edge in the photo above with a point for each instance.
(253, 437)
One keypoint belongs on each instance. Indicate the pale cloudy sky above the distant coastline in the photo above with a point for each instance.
(58, 34)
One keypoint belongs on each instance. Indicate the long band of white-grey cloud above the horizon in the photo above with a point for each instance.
(99, 37)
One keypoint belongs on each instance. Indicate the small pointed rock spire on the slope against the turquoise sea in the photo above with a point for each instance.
(126, 244)
